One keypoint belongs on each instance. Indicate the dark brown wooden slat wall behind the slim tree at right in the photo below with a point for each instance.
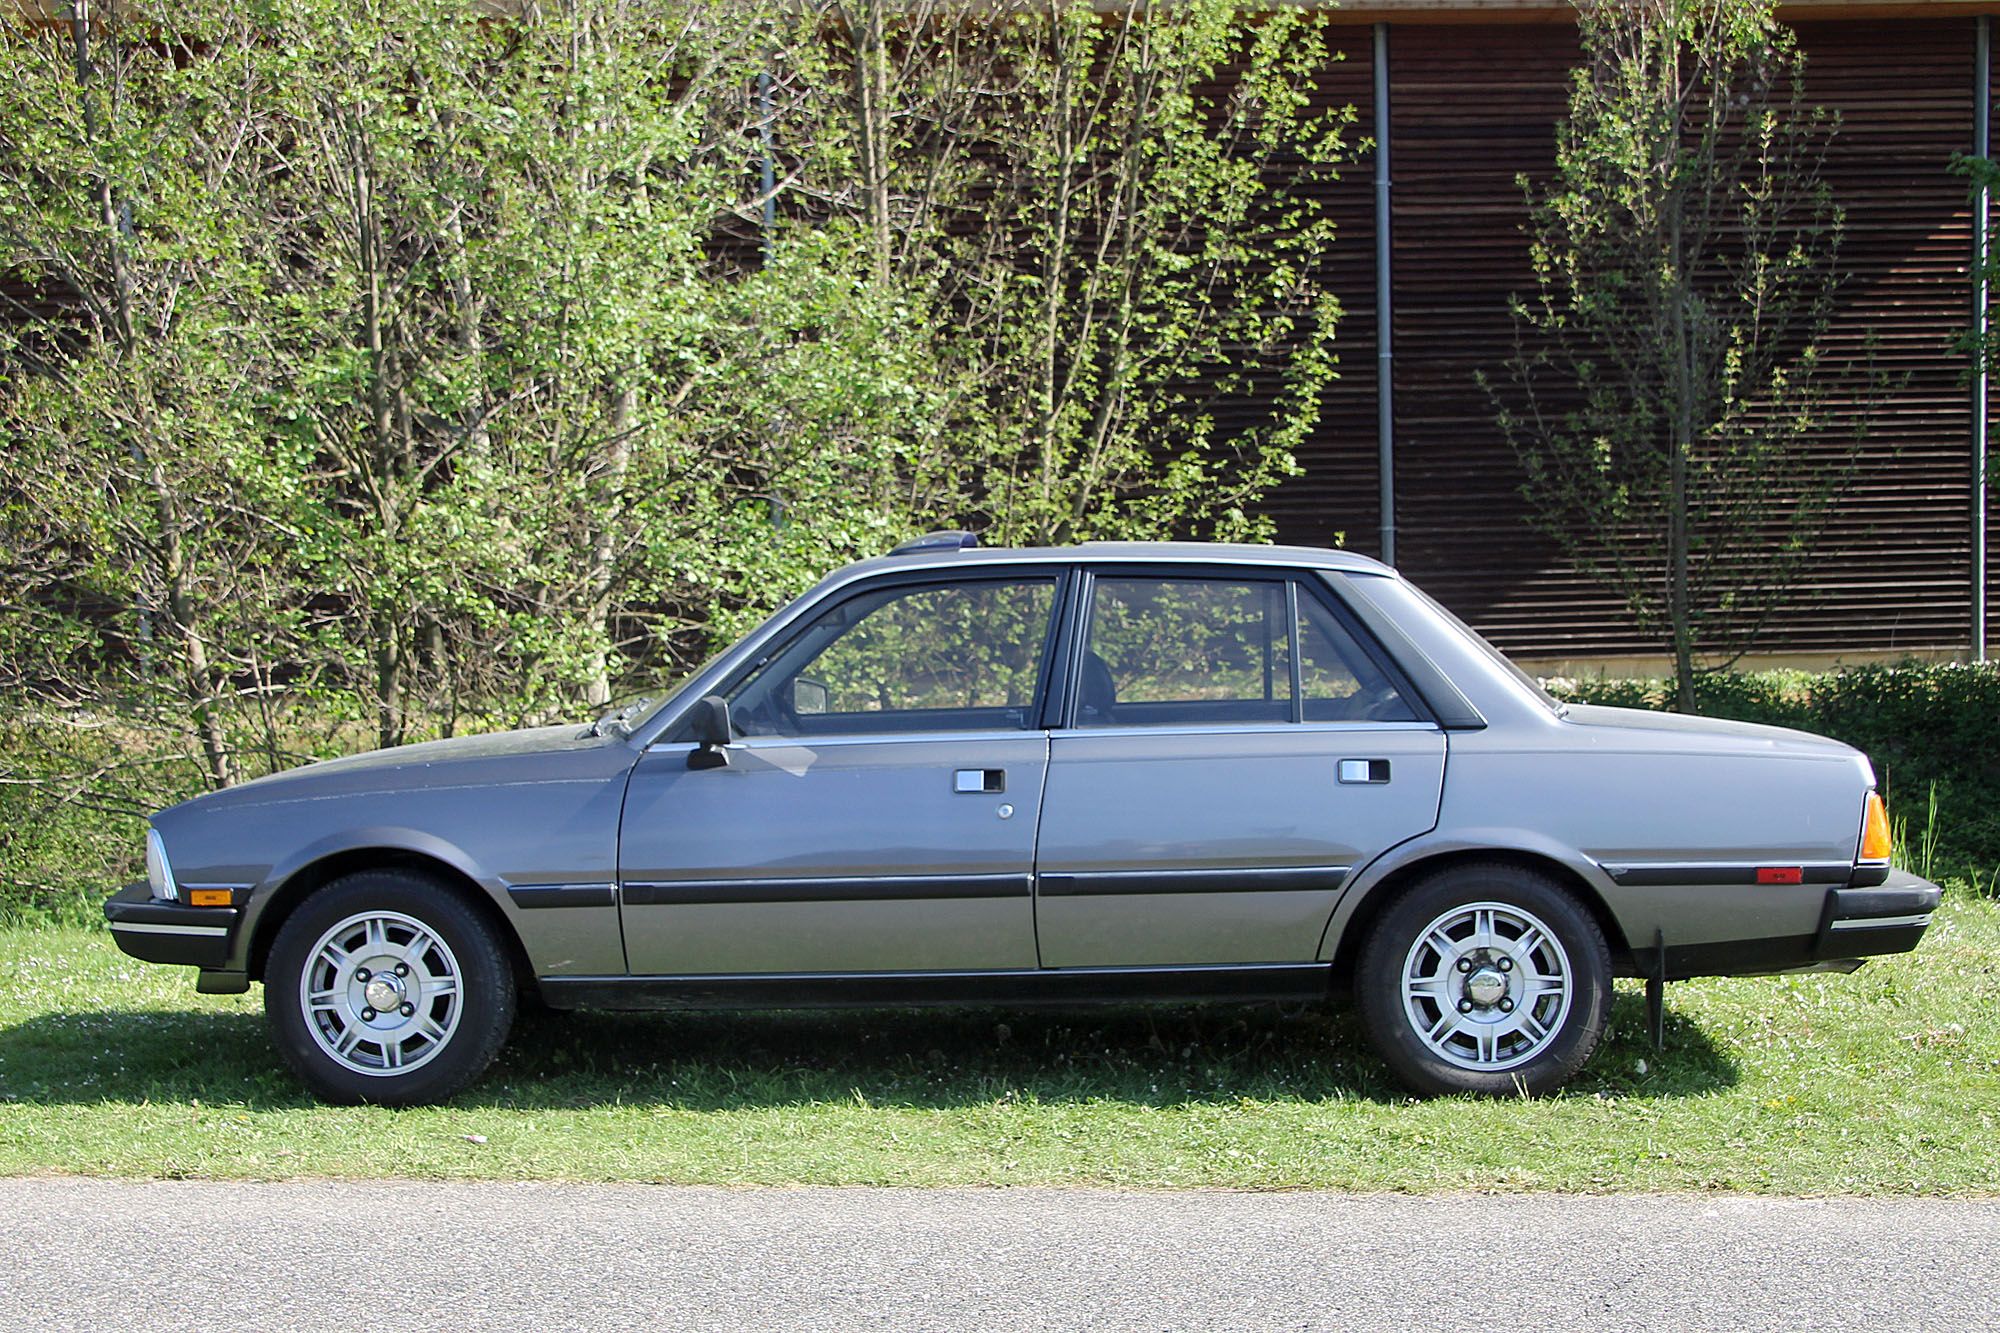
(1473, 107)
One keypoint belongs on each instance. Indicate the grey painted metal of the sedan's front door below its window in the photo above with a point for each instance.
(867, 812)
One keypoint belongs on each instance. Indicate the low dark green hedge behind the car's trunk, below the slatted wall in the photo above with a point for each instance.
(1933, 732)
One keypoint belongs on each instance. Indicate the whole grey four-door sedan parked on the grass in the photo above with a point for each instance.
(1057, 776)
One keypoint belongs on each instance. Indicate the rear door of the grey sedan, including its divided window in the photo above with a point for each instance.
(1231, 750)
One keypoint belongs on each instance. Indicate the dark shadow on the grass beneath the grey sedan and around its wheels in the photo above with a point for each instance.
(921, 1060)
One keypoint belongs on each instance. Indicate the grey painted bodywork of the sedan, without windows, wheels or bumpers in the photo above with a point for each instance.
(1579, 788)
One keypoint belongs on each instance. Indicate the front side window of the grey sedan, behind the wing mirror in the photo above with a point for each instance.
(931, 657)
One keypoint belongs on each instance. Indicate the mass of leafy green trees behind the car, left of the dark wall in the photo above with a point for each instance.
(433, 371)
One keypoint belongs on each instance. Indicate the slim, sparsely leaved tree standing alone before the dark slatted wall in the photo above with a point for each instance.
(1671, 385)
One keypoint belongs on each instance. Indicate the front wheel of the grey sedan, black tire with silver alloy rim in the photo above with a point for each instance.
(389, 988)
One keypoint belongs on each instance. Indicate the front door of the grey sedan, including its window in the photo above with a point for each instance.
(879, 812)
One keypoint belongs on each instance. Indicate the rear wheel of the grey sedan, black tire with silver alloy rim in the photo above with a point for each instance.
(1487, 980)
